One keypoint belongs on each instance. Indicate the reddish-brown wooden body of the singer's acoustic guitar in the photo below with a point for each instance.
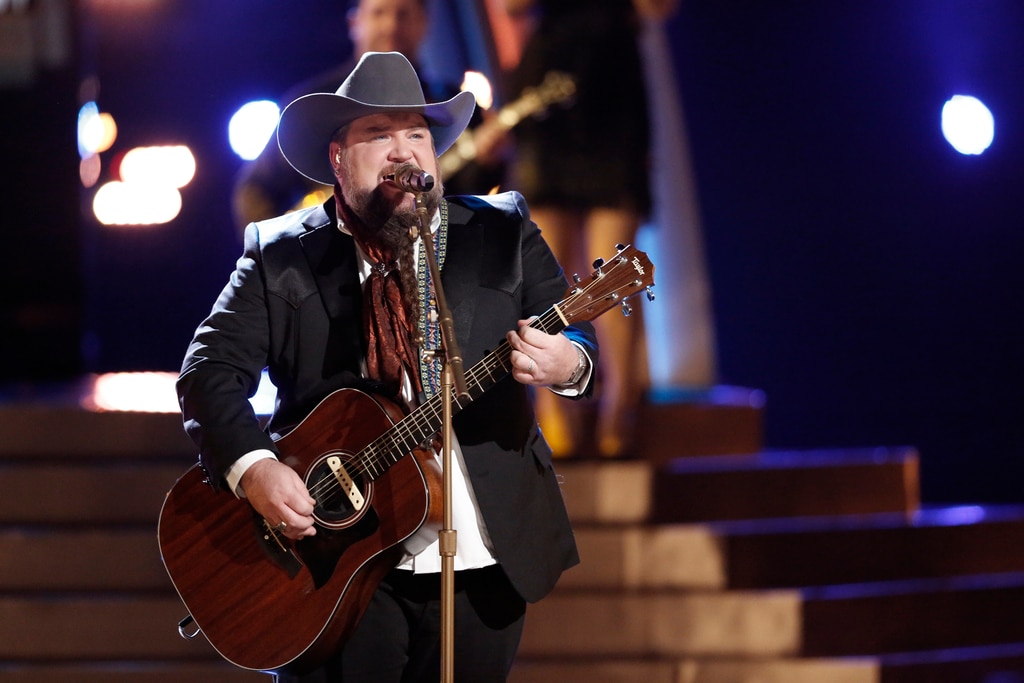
(269, 604)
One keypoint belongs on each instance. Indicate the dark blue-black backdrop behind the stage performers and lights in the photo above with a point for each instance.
(864, 274)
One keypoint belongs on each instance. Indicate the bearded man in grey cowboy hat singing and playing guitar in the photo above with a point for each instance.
(339, 296)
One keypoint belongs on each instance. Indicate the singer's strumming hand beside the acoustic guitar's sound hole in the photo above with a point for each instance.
(277, 493)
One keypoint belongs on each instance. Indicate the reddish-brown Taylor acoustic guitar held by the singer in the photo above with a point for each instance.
(269, 604)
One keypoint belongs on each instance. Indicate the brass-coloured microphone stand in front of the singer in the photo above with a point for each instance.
(453, 376)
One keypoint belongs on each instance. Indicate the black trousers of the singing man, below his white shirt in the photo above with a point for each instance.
(399, 638)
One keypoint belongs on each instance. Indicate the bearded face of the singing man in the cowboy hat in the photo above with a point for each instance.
(375, 147)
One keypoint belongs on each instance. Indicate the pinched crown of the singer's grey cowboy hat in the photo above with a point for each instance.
(383, 78)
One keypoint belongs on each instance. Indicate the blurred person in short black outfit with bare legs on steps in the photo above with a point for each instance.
(588, 189)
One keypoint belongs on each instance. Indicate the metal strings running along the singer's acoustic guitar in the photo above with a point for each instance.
(373, 460)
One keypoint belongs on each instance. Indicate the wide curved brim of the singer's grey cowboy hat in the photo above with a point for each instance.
(308, 124)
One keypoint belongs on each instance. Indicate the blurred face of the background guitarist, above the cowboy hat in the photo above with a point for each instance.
(389, 26)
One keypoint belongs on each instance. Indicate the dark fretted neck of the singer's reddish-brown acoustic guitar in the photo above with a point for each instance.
(422, 424)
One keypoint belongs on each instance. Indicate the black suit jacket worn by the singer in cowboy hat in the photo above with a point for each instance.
(293, 306)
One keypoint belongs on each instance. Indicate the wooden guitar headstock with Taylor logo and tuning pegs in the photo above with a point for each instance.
(614, 281)
